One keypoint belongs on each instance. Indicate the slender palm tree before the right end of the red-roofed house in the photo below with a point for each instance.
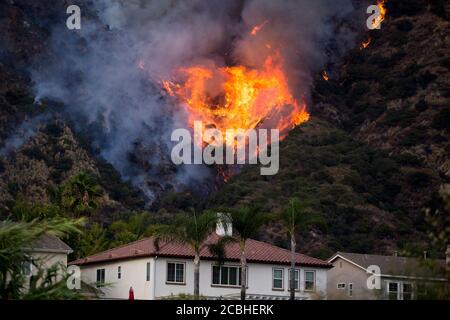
(292, 217)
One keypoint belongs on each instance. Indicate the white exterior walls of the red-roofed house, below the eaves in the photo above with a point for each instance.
(134, 274)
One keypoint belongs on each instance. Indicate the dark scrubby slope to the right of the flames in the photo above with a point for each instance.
(377, 148)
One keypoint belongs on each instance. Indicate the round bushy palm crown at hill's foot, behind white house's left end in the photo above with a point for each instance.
(80, 194)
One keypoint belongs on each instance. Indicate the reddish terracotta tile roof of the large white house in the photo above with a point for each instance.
(256, 251)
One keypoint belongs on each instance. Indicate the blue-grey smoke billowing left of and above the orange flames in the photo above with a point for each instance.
(107, 73)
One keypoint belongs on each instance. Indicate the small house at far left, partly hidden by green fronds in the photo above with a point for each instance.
(45, 252)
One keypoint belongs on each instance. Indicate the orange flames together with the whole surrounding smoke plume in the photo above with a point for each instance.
(230, 64)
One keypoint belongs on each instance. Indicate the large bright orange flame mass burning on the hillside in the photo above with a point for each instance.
(238, 97)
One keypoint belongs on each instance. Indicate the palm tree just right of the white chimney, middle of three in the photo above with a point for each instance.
(246, 222)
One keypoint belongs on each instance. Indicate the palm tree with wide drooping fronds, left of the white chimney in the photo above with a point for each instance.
(192, 229)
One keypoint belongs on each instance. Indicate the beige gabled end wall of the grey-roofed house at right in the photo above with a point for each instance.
(345, 272)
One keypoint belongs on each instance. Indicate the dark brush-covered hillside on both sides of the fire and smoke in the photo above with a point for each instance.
(371, 158)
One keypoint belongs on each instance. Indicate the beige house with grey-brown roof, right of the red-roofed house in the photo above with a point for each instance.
(400, 278)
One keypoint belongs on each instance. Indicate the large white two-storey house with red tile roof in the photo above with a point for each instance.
(168, 271)
